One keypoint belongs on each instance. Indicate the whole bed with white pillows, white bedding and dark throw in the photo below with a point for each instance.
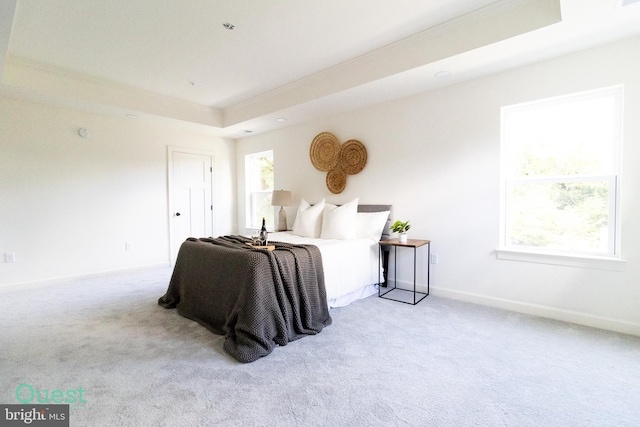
(260, 299)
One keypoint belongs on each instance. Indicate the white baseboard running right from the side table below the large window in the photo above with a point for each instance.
(607, 323)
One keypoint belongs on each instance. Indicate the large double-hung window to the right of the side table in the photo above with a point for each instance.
(560, 174)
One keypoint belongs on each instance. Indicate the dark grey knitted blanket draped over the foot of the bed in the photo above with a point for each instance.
(257, 298)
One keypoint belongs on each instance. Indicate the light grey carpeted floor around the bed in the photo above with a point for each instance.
(104, 341)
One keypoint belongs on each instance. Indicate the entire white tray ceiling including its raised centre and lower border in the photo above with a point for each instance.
(285, 58)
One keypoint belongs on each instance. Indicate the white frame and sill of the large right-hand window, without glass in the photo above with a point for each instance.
(612, 257)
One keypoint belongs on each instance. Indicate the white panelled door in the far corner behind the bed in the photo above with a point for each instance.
(191, 207)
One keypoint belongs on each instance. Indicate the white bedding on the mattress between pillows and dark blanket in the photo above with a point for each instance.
(350, 266)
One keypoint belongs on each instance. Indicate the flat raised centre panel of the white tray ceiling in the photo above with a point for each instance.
(162, 45)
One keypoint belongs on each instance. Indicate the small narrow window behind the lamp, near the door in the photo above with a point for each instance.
(259, 186)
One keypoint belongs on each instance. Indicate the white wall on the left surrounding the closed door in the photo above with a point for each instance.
(68, 205)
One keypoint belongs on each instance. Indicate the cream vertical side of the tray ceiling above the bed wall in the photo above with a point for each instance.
(494, 23)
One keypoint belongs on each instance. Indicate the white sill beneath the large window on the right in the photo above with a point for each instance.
(583, 261)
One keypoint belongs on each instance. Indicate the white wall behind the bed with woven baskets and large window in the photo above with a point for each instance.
(435, 157)
